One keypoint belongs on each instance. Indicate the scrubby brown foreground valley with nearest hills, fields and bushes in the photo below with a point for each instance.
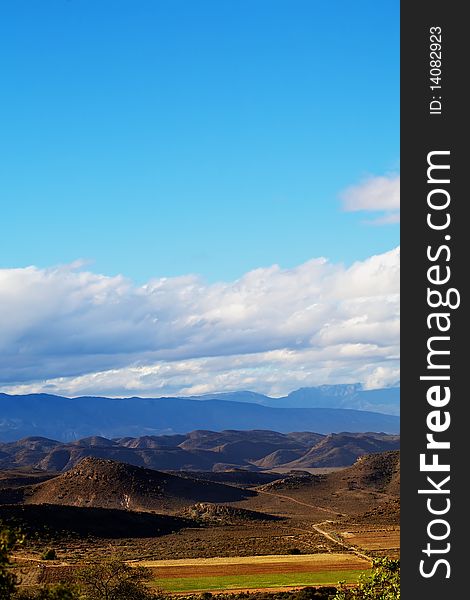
(295, 533)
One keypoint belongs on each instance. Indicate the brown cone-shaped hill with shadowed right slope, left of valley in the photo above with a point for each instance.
(104, 483)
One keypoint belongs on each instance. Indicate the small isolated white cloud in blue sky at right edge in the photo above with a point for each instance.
(375, 194)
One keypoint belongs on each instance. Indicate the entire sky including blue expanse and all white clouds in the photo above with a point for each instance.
(171, 173)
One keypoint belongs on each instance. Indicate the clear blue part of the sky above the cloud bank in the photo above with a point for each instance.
(166, 137)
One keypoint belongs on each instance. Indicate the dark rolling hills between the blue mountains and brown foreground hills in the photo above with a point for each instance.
(227, 453)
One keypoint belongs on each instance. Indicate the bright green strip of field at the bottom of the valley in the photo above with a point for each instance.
(246, 582)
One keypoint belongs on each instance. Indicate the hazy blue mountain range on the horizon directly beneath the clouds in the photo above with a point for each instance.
(327, 409)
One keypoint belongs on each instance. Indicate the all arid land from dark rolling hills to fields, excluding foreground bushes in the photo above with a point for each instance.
(215, 529)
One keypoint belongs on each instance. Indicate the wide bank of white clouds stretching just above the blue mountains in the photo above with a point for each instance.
(66, 330)
